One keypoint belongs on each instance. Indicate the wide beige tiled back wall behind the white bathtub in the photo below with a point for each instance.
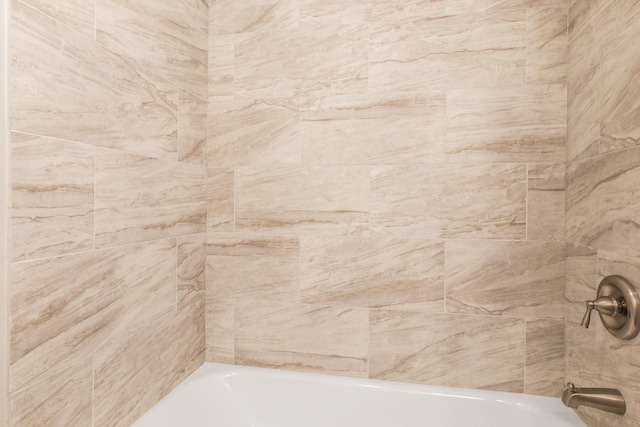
(386, 189)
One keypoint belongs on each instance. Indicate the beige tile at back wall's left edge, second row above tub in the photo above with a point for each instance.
(253, 267)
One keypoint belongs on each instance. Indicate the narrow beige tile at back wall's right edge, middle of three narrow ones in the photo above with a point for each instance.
(546, 202)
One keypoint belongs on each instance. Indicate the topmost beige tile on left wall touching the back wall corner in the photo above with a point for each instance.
(163, 39)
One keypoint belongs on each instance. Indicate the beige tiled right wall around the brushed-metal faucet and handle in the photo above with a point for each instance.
(603, 204)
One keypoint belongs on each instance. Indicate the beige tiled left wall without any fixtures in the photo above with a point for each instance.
(108, 206)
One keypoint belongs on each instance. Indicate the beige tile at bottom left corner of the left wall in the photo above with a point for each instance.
(63, 399)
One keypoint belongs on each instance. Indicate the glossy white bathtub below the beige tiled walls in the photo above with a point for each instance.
(236, 396)
